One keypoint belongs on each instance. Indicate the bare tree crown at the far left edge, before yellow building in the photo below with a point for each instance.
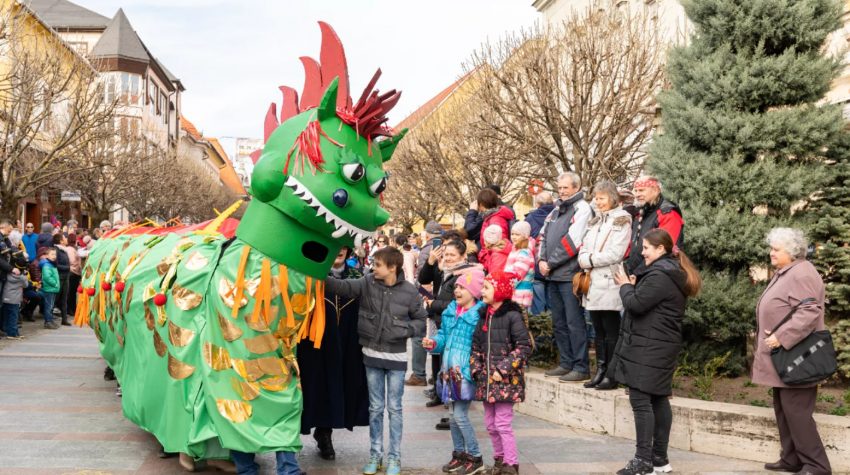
(52, 108)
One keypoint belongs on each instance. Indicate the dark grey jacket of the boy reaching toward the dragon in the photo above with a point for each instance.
(388, 317)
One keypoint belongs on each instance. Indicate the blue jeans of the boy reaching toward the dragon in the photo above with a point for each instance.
(386, 388)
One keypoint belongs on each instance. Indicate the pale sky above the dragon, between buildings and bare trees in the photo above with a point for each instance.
(233, 54)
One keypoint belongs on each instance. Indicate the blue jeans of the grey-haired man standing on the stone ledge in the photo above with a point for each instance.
(568, 326)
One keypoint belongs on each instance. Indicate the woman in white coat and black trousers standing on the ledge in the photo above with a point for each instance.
(603, 250)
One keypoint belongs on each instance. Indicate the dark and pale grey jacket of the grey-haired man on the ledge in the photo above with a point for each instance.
(561, 237)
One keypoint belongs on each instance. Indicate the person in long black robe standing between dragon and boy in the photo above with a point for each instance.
(333, 378)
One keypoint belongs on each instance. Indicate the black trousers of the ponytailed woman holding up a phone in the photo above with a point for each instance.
(653, 419)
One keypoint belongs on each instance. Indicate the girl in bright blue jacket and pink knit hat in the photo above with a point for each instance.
(454, 383)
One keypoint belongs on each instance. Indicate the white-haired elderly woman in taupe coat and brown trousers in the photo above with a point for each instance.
(795, 279)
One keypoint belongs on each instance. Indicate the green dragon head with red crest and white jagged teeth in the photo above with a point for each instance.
(318, 181)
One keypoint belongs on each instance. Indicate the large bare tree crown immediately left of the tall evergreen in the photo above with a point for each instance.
(579, 97)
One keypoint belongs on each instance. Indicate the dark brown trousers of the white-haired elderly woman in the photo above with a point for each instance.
(798, 433)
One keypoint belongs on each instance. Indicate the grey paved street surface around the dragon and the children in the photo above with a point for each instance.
(58, 416)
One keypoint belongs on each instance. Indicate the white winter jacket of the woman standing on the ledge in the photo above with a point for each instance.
(603, 249)
